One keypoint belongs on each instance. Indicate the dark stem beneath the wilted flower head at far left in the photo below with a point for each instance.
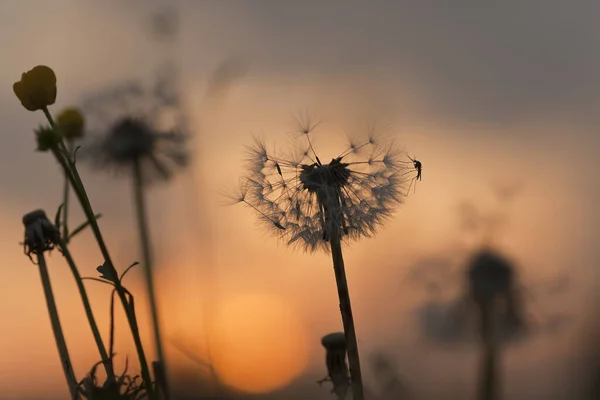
(57, 329)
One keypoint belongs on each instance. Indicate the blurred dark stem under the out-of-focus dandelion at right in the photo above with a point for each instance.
(488, 380)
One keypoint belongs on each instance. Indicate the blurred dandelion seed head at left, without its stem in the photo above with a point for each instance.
(137, 126)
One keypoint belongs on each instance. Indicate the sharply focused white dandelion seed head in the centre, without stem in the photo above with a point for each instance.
(304, 200)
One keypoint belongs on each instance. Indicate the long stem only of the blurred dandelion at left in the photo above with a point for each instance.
(142, 220)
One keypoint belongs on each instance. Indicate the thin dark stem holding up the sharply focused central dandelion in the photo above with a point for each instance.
(347, 318)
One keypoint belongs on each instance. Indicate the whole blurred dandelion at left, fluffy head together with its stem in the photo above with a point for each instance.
(142, 134)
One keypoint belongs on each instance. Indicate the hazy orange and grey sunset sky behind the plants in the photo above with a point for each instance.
(483, 95)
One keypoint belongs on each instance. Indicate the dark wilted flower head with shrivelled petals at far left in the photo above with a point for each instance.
(40, 234)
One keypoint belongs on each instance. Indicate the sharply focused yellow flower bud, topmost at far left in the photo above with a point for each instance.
(37, 88)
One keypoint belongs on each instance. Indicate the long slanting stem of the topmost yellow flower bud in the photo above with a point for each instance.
(68, 165)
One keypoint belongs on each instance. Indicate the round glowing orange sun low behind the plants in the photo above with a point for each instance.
(260, 343)
